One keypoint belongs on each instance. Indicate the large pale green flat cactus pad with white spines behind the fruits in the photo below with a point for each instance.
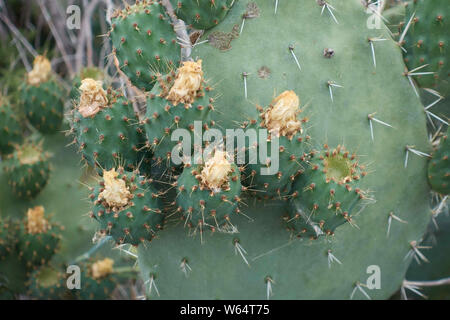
(357, 96)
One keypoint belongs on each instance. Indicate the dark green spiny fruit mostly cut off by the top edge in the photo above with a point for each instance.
(202, 14)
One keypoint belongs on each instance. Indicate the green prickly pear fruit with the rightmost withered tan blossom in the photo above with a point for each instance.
(280, 119)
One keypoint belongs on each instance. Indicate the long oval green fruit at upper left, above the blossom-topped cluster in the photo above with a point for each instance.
(144, 42)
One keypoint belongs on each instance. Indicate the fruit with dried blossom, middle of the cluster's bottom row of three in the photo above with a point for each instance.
(208, 195)
